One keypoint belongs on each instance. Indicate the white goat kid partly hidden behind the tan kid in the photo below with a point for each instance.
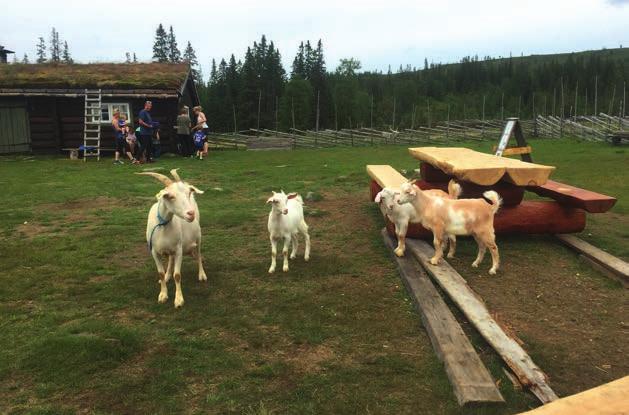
(403, 214)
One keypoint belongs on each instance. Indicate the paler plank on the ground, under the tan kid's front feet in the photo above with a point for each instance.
(527, 372)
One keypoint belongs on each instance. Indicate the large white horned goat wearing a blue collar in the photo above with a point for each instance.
(173, 230)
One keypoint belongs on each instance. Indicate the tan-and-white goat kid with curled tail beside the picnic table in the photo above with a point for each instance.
(457, 217)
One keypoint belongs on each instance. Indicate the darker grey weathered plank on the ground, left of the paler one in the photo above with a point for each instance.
(468, 376)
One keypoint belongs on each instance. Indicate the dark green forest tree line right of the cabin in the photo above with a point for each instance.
(348, 98)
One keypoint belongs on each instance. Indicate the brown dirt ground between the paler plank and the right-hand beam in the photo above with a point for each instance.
(568, 317)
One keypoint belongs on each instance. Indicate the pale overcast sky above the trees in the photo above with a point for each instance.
(378, 33)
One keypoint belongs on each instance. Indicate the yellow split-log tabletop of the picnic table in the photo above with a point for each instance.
(481, 168)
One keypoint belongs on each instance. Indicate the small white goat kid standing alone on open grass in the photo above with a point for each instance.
(286, 221)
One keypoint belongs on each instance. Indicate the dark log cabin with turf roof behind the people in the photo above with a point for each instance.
(42, 106)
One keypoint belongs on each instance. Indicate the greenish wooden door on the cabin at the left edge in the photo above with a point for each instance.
(15, 136)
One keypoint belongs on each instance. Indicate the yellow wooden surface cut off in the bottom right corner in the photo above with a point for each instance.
(609, 399)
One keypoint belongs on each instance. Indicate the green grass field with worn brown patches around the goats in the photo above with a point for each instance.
(82, 331)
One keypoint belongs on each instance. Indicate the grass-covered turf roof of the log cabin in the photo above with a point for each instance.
(169, 76)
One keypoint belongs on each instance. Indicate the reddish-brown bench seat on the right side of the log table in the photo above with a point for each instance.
(574, 197)
